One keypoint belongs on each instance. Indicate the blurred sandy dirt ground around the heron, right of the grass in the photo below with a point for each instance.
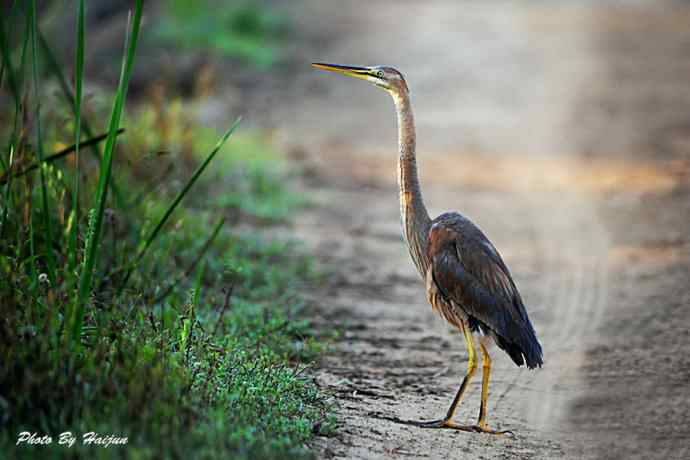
(564, 132)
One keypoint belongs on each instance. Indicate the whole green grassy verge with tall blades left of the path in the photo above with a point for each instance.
(165, 314)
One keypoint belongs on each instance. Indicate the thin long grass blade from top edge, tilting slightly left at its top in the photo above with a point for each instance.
(47, 223)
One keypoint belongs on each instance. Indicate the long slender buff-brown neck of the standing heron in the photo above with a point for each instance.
(415, 218)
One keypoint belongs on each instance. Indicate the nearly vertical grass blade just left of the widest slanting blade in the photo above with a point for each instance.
(78, 79)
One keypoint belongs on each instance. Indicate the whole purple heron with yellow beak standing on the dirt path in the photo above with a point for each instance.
(466, 280)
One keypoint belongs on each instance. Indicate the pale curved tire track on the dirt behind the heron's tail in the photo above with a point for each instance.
(576, 258)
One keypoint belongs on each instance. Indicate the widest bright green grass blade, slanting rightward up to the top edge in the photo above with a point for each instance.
(91, 253)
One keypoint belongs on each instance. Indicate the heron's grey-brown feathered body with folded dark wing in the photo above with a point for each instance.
(468, 283)
